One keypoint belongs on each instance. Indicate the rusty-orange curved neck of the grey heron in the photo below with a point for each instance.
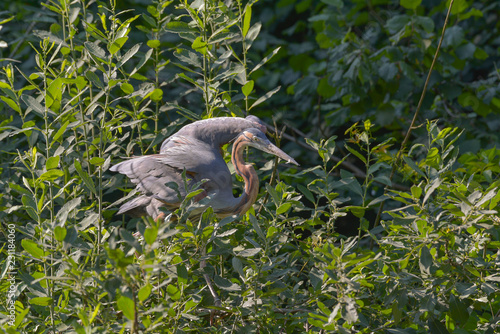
(247, 172)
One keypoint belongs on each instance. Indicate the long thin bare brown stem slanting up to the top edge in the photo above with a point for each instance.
(414, 120)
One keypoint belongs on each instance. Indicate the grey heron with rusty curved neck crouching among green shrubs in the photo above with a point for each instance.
(195, 150)
